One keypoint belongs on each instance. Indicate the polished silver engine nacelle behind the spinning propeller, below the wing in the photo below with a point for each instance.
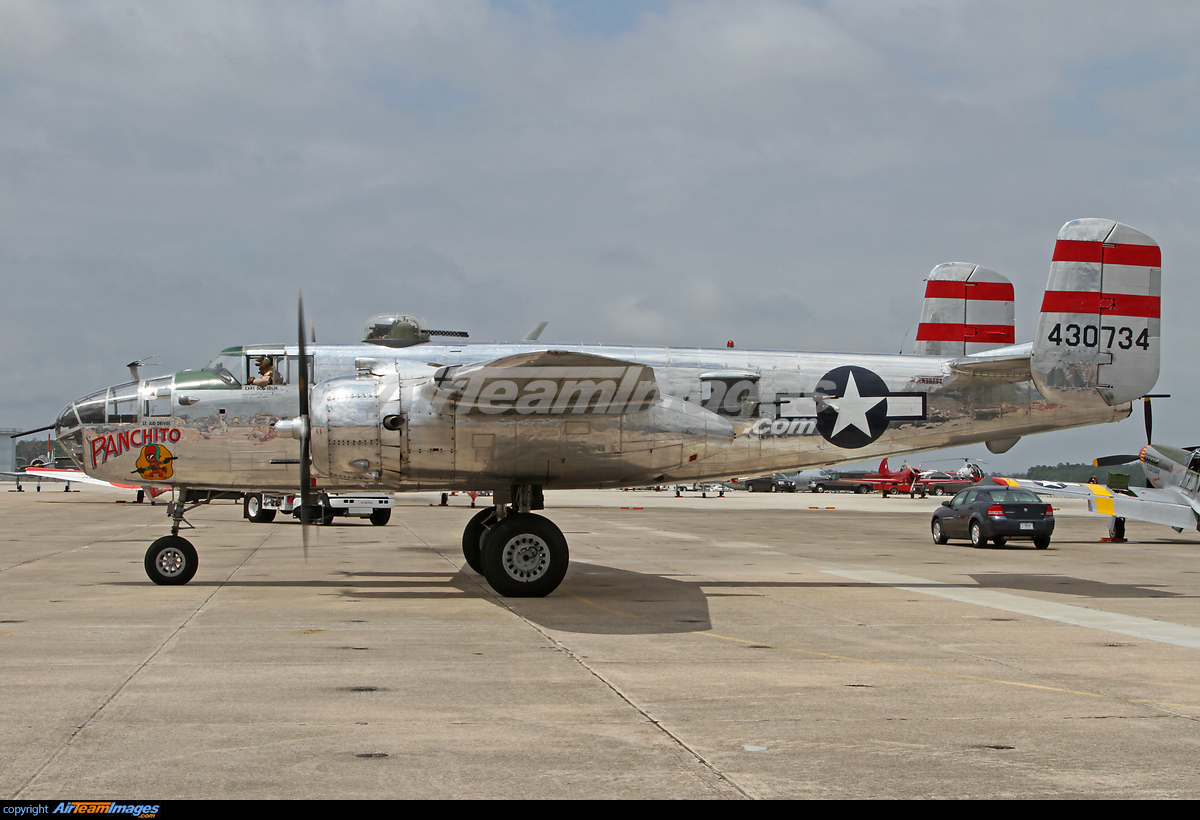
(388, 432)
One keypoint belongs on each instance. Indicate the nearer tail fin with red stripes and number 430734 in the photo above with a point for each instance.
(1099, 334)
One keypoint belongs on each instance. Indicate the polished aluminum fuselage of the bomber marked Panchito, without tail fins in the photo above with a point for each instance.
(199, 432)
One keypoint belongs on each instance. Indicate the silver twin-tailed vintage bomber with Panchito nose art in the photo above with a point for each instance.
(400, 412)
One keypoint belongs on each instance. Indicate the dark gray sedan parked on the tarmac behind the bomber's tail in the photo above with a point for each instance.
(998, 514)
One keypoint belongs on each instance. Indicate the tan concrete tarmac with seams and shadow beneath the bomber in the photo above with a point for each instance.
(740, 648)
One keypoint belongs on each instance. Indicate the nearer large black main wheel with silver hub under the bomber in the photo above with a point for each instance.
(525, 556)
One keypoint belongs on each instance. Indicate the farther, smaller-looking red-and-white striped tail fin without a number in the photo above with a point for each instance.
(969, 309)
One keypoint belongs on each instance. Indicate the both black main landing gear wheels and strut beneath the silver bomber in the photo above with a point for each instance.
(521, 554)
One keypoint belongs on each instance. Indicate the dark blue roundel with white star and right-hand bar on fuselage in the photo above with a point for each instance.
(855, 406)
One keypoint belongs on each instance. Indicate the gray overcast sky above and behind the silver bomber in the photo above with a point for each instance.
(779, 173)
